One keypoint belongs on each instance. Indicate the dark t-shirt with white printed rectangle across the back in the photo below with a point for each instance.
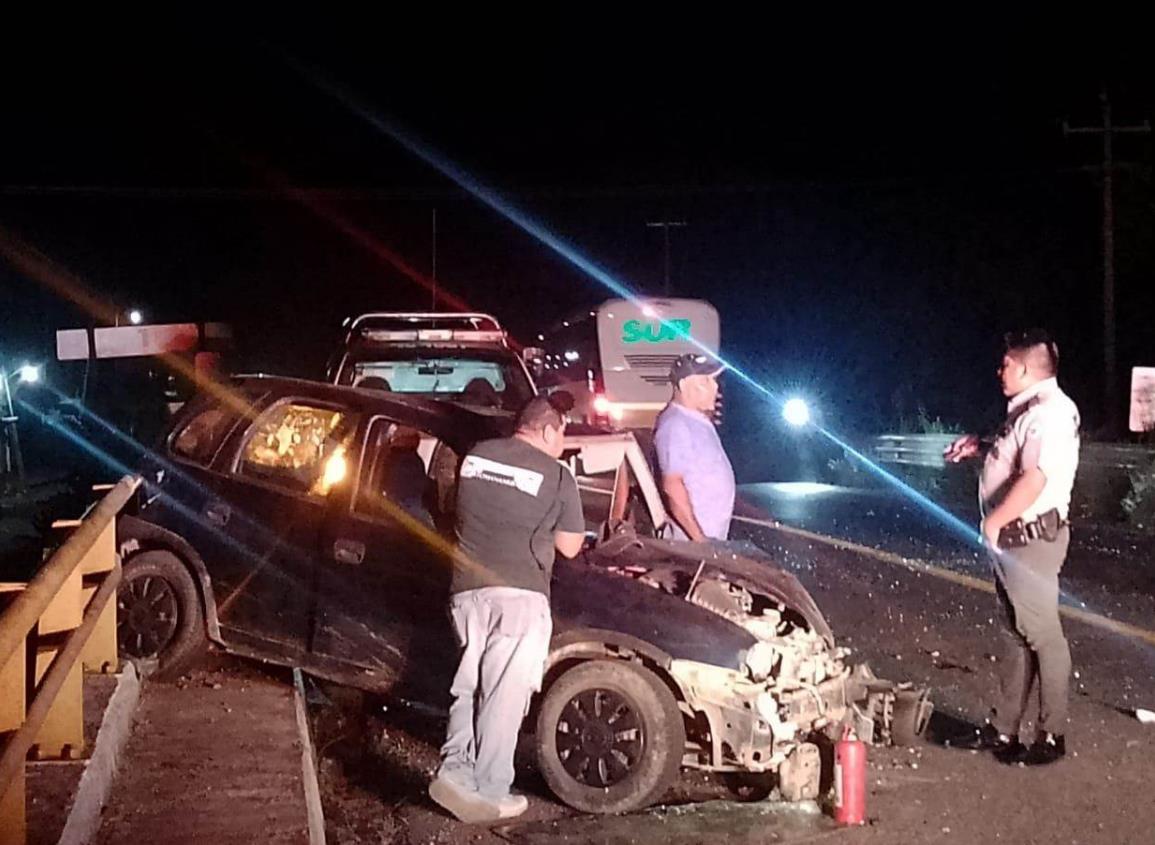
(511, 500)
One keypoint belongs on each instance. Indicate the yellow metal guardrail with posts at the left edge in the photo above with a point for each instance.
(51, 629)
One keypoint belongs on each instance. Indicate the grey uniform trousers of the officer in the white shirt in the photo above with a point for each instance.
(1027, 584)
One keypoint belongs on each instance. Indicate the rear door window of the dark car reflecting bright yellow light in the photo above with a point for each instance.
(300, 447)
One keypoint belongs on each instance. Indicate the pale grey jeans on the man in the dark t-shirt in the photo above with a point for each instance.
(505, 640)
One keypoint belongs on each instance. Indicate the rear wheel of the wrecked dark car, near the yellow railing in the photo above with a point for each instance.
(160, 616)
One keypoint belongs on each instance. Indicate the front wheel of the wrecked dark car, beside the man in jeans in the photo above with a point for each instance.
(610, 737)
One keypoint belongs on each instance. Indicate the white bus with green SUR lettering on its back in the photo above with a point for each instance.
(616, 360)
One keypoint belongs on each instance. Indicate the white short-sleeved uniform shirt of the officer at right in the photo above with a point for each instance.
(1041, 431)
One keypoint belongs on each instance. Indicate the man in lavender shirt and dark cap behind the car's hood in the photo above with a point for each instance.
(697, 476)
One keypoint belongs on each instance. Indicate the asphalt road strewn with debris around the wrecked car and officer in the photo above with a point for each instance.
(897, 603)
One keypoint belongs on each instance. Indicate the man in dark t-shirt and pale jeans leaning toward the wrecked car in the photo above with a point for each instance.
(517, 507)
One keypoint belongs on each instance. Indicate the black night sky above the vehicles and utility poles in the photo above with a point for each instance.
(868, 213)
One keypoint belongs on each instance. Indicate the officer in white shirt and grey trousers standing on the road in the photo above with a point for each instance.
(1025, 496)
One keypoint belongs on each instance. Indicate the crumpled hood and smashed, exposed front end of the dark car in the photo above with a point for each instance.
(791, 684)
